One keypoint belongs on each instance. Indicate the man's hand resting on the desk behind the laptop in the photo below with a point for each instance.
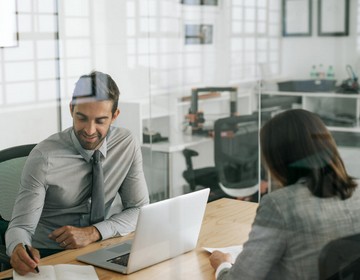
(70, 237)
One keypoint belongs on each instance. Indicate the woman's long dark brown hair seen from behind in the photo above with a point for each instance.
(296, 144)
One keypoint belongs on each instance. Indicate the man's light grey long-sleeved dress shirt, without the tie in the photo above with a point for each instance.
(55, 188)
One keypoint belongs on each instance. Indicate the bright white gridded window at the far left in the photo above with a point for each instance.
(29, 72)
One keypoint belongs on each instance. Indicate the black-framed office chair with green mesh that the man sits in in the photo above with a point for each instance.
(12, 161)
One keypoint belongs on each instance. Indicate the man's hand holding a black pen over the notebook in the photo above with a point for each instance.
(22, 262)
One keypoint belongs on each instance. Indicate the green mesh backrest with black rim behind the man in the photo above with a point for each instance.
(12, 161)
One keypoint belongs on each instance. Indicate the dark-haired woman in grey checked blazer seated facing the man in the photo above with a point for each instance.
(318, 202)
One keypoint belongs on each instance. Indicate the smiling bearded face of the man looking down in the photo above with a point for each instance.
(92, 121)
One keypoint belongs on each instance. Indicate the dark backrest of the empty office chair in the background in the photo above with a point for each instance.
(237, 151)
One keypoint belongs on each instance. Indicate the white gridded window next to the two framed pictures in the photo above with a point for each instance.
(254, 37)
